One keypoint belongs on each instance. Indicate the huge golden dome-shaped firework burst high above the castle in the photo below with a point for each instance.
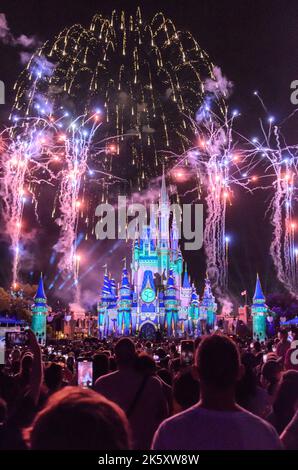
(147, 77)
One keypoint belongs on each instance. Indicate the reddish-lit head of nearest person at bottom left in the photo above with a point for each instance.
(76, 418)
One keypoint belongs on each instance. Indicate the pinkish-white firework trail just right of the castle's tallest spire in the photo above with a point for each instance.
(215, 162)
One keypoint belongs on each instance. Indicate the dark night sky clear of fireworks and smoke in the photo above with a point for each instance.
(254, 43)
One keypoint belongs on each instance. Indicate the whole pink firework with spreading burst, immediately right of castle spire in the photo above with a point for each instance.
(214, 159)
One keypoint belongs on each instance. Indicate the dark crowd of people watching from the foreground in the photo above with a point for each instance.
(234, 395)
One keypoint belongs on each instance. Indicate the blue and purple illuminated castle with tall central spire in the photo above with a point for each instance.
(156, 296)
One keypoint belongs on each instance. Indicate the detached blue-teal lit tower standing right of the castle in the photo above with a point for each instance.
(259, 312)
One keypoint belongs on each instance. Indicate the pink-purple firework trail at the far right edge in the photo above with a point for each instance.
(279, 162)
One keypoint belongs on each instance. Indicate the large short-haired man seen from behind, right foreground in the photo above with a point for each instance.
(216, 422)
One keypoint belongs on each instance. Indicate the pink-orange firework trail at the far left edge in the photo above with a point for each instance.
(24, 157)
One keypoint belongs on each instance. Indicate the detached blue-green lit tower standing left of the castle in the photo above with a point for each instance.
(39, 313)
